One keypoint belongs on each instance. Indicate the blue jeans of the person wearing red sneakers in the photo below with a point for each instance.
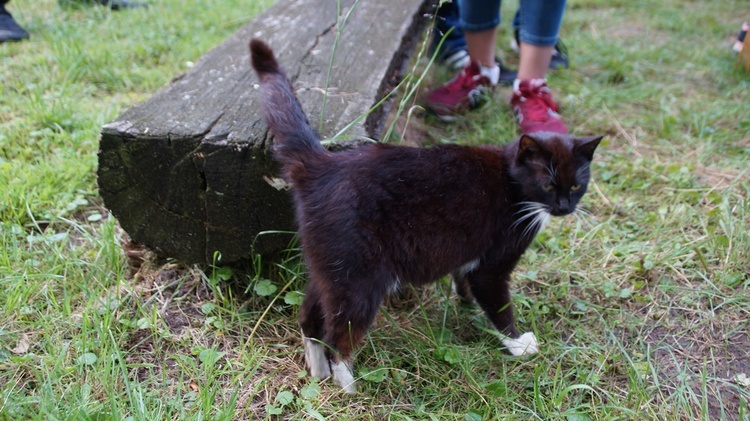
(538, 21)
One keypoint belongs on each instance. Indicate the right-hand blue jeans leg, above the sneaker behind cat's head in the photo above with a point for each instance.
(540, 21)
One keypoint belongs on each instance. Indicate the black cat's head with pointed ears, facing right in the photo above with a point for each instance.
(552, 170)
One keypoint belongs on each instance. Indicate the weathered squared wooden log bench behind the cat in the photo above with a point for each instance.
(188, 172)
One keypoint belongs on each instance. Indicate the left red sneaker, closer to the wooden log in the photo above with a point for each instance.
(462, 93)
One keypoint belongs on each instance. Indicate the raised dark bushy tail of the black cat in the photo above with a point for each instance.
(295, 141)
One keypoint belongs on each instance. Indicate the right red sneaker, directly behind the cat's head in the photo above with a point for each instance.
(534, 108)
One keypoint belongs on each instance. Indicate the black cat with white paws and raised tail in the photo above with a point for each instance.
(380, 215)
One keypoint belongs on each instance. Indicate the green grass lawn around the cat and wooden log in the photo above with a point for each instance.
(642, 308)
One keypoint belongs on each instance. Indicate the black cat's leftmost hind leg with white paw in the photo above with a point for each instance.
(312, 322)
